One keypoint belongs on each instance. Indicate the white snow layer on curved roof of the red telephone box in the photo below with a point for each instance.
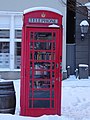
(42, 8)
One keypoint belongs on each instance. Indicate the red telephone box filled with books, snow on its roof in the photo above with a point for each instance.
(41, 62)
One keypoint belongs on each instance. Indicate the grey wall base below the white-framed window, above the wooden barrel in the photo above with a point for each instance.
(10, 75)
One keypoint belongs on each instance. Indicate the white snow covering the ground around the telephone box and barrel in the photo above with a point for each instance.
(75, 102)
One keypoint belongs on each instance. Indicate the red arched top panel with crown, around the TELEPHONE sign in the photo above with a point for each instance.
(38, 14)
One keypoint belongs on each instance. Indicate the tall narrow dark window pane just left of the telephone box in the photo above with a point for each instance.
(17, 55)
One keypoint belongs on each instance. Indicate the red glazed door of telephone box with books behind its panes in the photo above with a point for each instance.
(43, 77)
